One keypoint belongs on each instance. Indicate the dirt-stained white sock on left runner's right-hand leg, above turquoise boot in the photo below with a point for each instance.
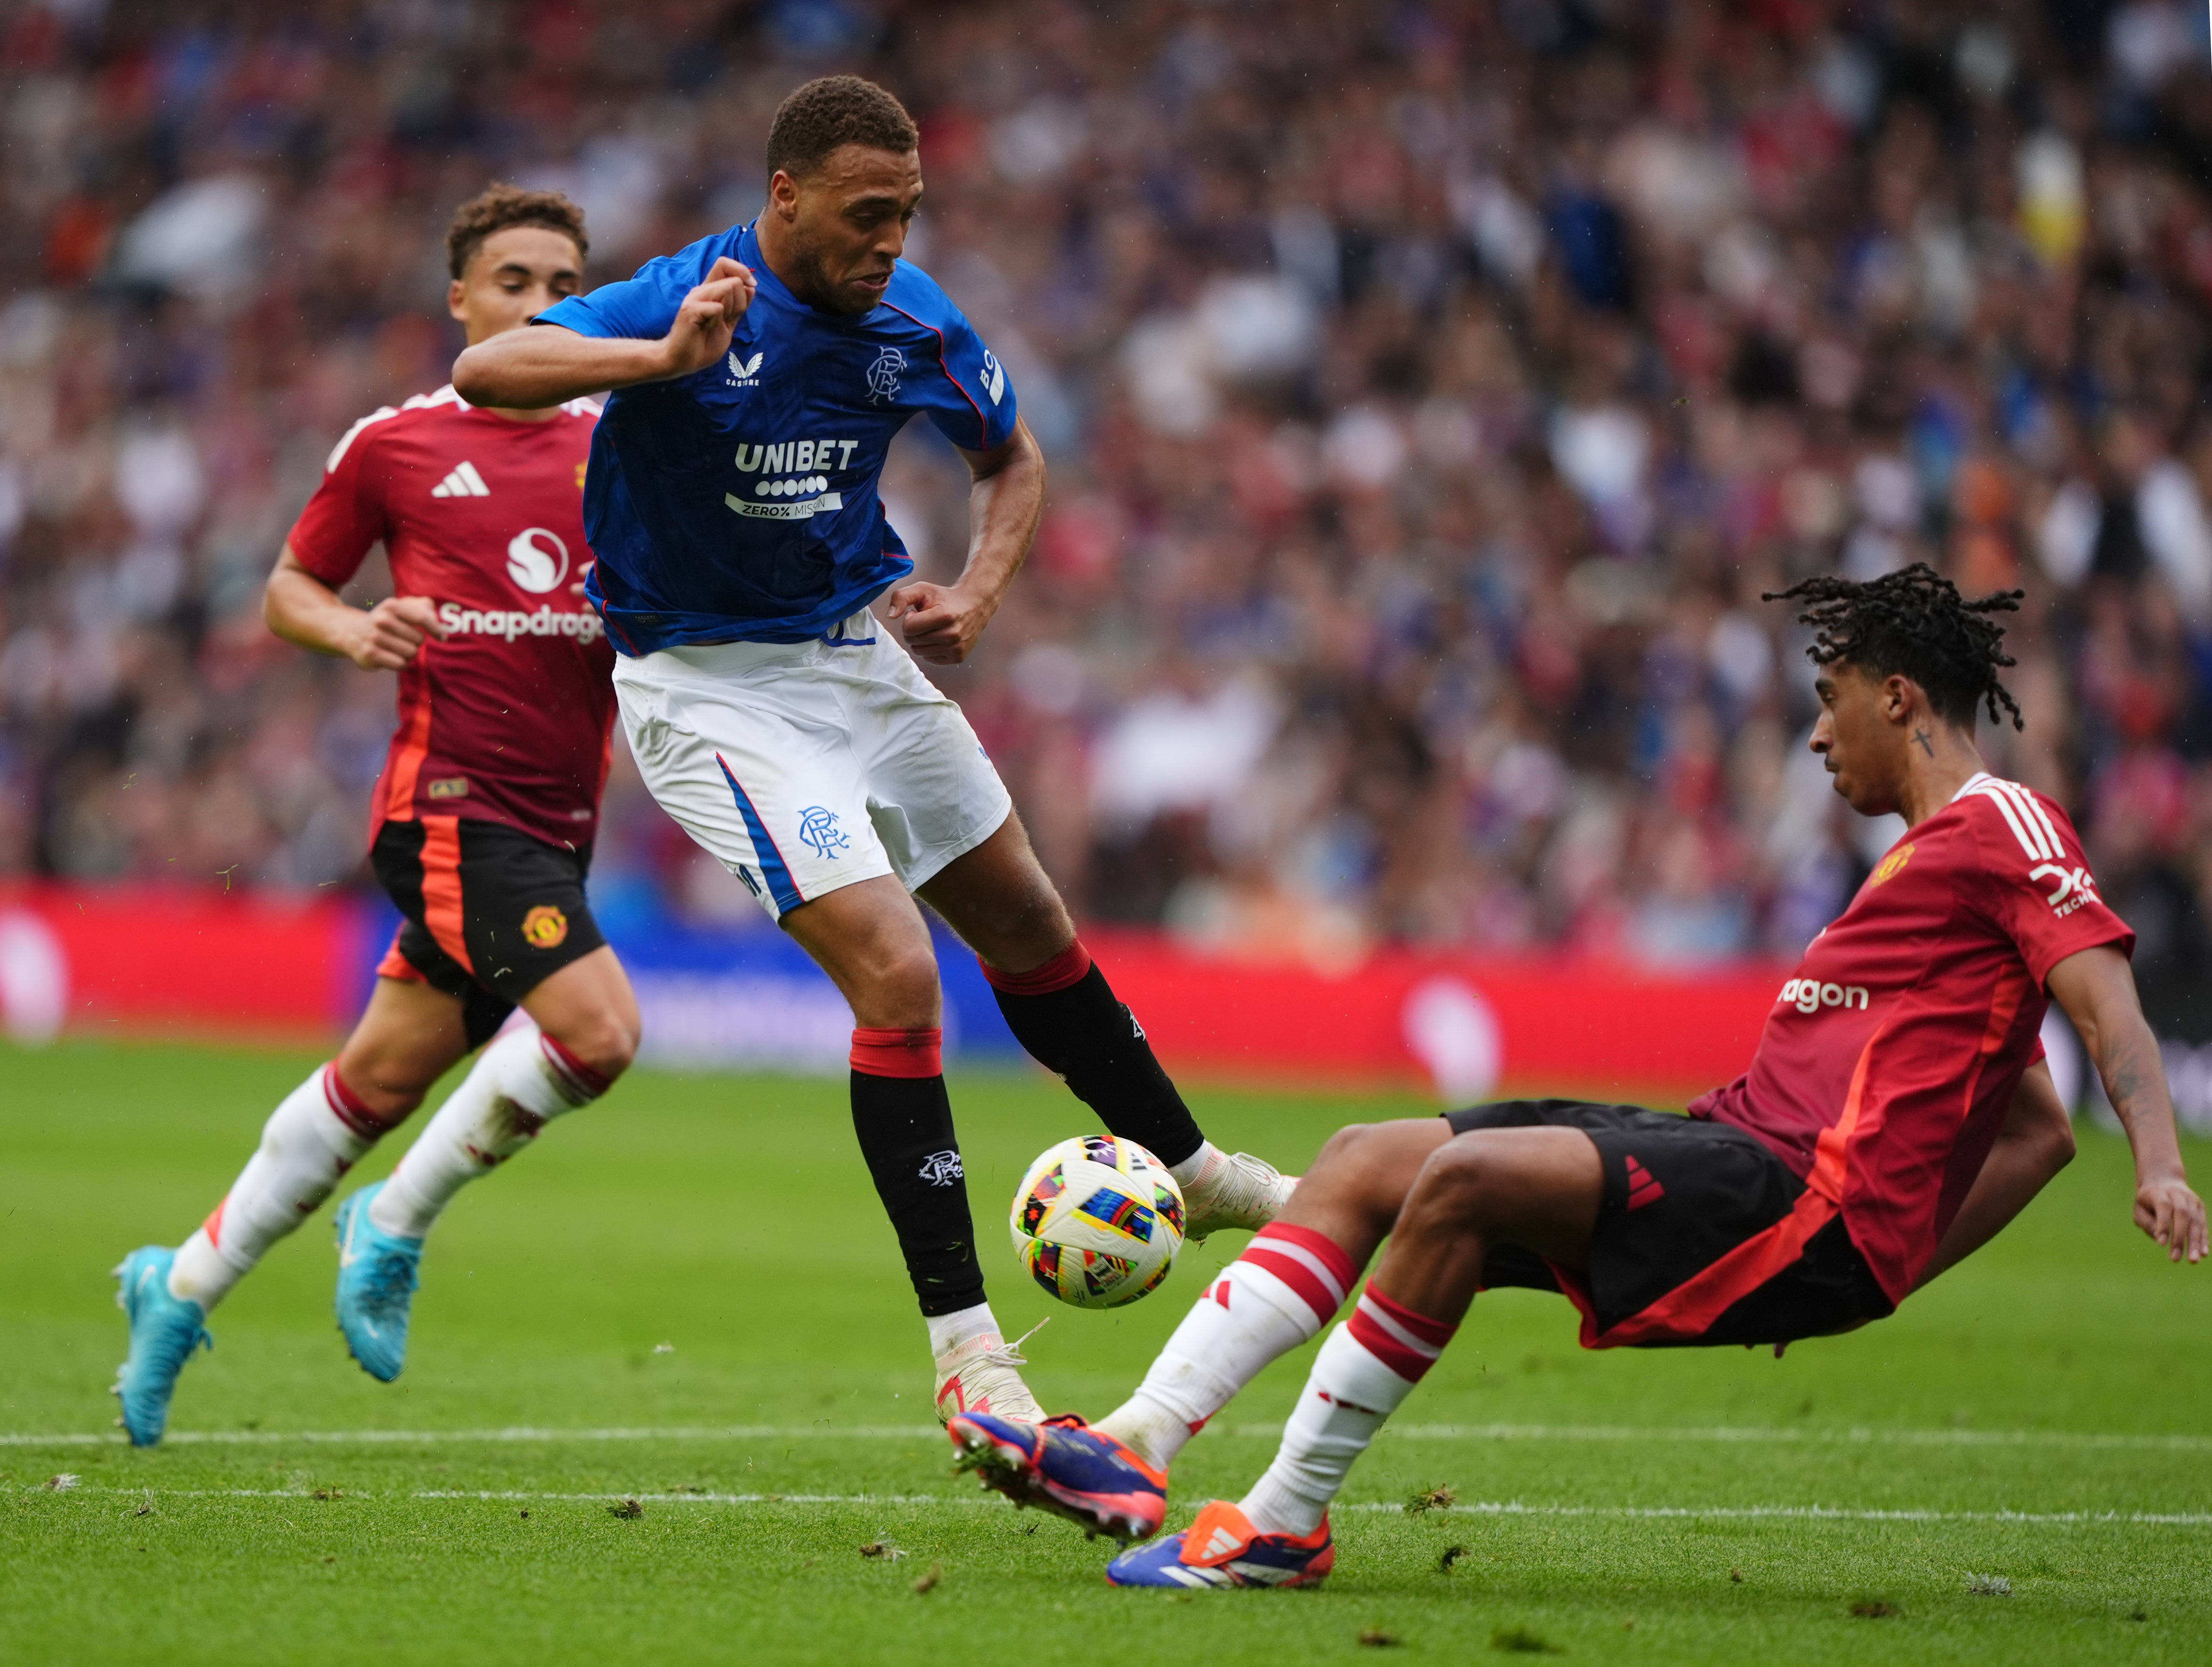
(519, 1084)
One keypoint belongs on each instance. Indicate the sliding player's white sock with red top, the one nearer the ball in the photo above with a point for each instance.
(1266, 1303)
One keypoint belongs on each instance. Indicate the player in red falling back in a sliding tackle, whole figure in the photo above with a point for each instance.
(1895, 1118)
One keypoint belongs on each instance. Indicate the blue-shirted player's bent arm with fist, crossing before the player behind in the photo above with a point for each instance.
(528, 370)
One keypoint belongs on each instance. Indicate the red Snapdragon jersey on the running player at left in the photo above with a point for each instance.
(512, 715)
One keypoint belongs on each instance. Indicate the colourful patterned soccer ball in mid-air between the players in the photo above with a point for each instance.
(1098, 1222)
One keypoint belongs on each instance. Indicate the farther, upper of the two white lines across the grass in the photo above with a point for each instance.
(1709, 1434)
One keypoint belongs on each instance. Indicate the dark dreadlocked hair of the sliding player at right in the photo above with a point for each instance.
(1914, 625)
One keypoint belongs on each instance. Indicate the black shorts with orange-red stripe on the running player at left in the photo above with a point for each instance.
(490, 912)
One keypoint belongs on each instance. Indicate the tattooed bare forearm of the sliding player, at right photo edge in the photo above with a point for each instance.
(2098, 994)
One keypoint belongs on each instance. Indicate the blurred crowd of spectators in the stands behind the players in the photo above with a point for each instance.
(1432, 392)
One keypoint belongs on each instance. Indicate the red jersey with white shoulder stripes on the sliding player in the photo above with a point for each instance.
(1895, 1051)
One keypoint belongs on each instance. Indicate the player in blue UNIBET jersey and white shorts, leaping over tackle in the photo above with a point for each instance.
(740, 543)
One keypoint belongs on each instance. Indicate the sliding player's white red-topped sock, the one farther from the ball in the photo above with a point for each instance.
(1361, 1376)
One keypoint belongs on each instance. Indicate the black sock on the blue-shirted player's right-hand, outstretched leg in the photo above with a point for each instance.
(1070, 1020)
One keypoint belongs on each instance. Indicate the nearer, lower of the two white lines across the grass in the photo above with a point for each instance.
(1370, 1507)
